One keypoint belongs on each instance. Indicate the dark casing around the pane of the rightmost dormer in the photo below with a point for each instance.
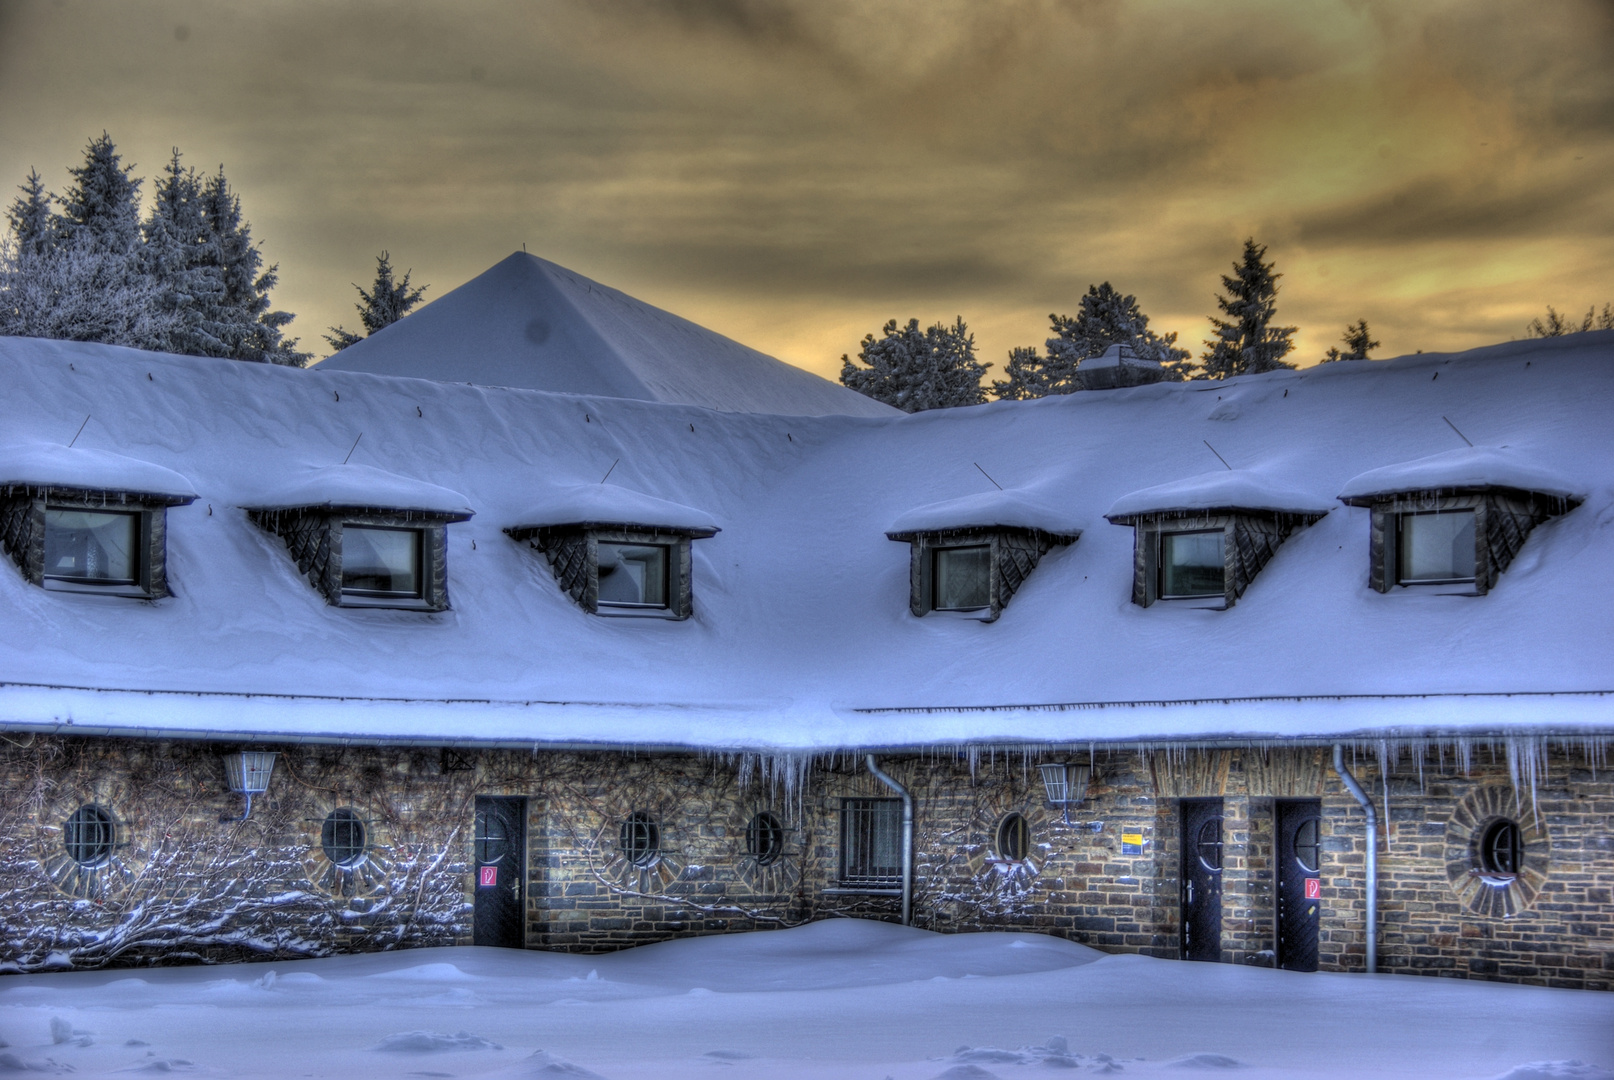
(1503, 519)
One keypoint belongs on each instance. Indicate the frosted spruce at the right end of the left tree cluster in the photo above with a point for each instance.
(249, 329)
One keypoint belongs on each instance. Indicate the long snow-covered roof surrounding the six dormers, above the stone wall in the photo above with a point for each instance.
(801, 635)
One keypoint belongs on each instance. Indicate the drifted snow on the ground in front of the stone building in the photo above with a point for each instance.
(843, 1000)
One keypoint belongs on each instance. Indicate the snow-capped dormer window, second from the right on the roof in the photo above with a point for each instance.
(1205, 540)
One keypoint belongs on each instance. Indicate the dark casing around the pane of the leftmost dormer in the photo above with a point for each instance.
(23, 535)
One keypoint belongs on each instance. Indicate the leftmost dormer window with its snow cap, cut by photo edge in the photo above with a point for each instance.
(104, 534)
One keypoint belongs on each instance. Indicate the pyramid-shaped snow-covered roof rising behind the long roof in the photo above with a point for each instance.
(530, 324)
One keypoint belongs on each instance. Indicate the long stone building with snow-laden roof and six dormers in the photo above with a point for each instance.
(1271, 671)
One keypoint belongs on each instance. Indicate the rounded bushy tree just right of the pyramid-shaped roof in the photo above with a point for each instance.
(918, 370)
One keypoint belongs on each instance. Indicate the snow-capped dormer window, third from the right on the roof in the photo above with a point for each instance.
(971, 556)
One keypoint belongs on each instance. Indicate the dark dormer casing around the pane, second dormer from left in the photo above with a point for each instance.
(314, 538)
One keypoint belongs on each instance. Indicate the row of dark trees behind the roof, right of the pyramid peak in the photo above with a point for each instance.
(937, 367)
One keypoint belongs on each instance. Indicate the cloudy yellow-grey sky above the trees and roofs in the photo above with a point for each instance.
(795, 174)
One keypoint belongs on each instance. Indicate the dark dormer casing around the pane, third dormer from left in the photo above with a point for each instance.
(574, 556)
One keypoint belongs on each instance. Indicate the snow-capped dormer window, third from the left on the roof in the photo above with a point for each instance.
(617, 551)
